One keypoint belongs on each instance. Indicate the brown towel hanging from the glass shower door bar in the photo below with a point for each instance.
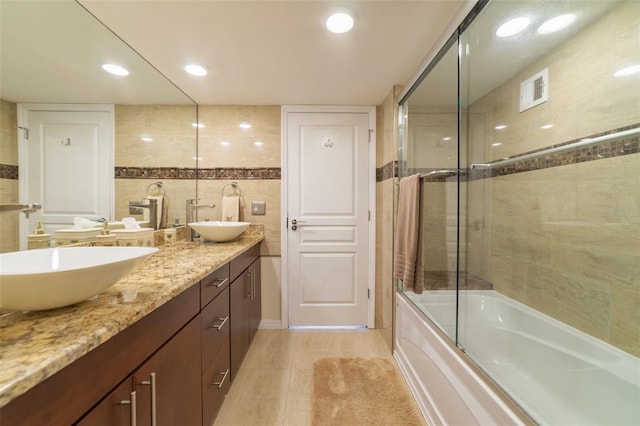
(408, 265)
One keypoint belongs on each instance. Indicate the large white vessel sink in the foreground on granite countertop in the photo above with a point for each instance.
(51, 278)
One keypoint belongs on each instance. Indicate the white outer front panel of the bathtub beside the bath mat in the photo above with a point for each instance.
(447, 390)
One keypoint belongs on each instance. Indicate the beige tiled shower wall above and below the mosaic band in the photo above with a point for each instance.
(565, 239)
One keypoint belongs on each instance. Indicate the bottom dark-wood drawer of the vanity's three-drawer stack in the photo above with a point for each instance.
(215, 384)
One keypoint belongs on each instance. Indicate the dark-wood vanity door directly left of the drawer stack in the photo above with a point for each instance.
(168, 385)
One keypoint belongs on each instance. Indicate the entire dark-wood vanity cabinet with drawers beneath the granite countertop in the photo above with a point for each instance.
(175, 364)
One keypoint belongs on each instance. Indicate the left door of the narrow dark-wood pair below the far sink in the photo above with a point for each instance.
(239, 311)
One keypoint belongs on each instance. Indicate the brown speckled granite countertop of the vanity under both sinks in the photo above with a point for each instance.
(36, 345)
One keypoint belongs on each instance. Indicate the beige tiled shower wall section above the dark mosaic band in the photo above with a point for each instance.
(584, 96)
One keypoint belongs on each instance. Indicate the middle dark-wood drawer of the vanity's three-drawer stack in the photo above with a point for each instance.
(215, 327)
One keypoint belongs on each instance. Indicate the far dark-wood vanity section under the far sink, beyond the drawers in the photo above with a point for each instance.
(245, 311)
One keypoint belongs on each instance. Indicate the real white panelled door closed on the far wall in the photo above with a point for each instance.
(328, 227)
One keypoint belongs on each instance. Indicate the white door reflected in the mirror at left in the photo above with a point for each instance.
(68, 162)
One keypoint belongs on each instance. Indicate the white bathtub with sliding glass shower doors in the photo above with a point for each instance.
(555, 373)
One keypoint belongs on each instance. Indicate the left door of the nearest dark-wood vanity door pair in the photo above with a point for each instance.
(117, 408)
